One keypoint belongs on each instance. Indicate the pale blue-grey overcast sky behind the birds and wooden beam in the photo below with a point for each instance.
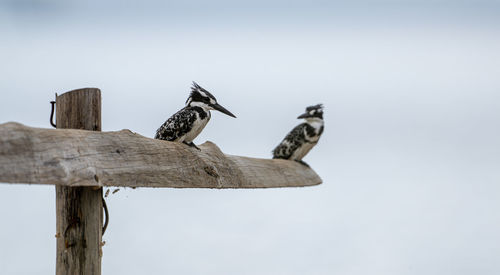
(409, 158)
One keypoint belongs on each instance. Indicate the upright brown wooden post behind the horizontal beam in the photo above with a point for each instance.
(79, 209)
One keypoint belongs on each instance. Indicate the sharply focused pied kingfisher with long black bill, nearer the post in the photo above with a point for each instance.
(185, 125)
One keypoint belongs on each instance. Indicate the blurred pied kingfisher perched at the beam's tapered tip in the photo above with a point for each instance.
(303, 137)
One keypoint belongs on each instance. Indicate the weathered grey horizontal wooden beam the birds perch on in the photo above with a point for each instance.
(86, 158)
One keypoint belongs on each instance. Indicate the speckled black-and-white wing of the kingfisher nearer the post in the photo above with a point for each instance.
(177, 125)
